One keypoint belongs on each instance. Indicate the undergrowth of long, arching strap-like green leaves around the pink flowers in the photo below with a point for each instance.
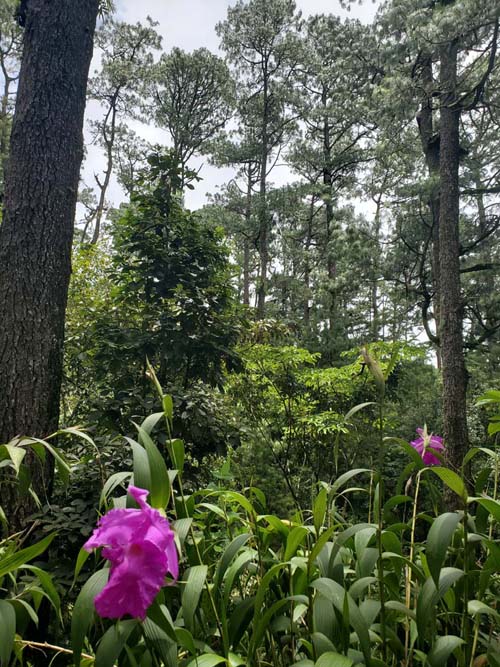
(410, 585)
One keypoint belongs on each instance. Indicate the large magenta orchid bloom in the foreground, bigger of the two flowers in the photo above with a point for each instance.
(139, 543)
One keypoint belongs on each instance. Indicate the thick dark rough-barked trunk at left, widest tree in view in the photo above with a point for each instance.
(37, 230)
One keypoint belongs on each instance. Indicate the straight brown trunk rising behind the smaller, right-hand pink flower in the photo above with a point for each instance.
(451, 335)
